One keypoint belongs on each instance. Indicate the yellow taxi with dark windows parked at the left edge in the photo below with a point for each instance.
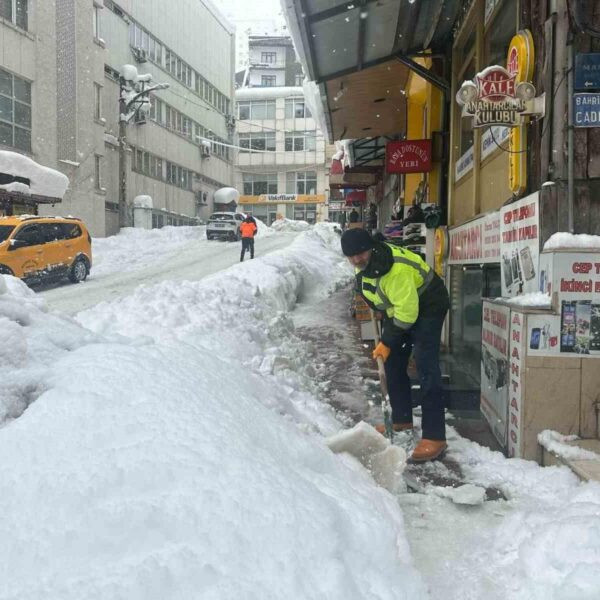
(36, 249)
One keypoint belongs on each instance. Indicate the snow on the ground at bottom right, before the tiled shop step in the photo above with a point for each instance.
(546, 543)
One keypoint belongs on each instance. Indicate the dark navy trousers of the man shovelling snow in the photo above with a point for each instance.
(424, 338)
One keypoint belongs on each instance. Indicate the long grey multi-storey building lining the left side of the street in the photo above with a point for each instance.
(60, 64)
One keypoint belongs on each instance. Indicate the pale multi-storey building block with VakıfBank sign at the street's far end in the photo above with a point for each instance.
(282, 160)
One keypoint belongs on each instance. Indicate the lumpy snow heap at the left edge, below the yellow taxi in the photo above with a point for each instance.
(31, 341)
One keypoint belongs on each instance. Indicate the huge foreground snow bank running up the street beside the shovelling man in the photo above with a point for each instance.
(175, 466)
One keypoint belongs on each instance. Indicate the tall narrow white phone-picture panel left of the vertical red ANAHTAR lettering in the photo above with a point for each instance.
(494, 367)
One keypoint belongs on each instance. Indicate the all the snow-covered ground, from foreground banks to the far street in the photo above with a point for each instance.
(167, 440)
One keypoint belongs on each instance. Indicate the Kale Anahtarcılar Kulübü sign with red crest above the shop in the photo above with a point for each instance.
(494, 97)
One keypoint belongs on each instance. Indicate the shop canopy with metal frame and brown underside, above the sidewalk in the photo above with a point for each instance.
(360, 53)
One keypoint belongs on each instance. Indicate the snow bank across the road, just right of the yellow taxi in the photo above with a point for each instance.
(134, 247)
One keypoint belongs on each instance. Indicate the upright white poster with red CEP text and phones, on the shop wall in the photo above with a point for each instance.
(520, 246)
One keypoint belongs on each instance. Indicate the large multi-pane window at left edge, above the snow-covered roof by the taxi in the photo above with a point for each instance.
(15, 112)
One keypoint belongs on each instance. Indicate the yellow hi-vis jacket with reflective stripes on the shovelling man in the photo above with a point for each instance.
(397, 292)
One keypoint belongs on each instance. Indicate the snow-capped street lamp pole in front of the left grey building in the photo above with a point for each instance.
(133, 100)
